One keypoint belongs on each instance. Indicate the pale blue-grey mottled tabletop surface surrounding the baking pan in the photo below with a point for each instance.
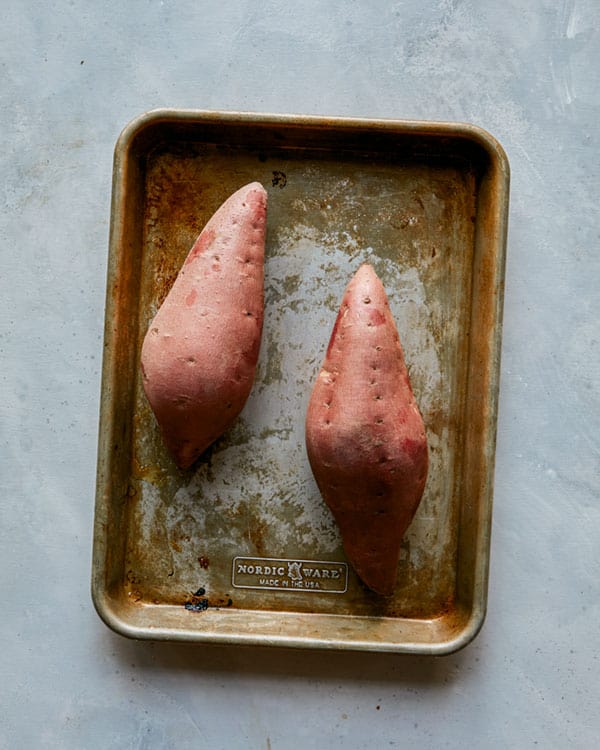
(72, 75)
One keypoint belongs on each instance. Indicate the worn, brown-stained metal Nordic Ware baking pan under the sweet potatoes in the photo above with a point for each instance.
(241, 549)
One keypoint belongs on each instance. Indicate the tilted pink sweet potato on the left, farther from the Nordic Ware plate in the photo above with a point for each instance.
(200, 352)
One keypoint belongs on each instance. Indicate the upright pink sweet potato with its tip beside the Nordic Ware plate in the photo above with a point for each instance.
(365, 436)
